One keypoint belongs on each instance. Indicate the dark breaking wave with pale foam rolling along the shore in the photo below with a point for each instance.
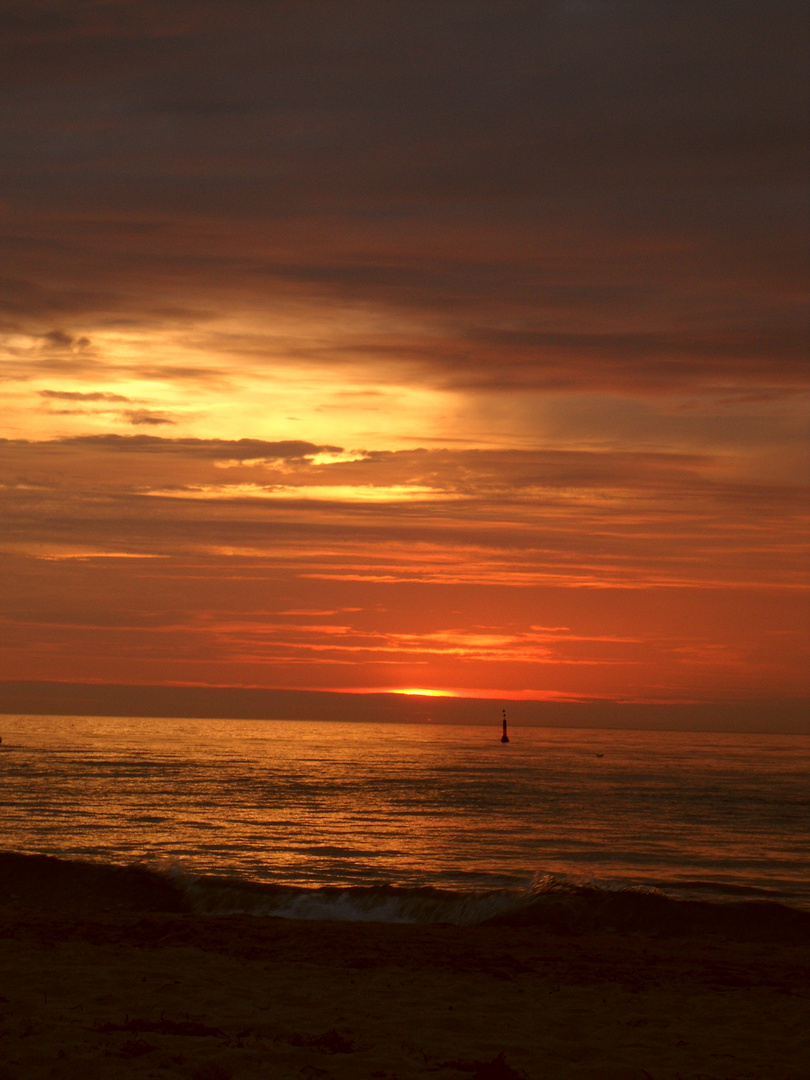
(46, 883)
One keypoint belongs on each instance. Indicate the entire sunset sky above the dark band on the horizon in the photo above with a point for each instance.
(370, 346)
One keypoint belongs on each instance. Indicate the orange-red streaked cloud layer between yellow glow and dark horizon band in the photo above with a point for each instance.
(559, 574)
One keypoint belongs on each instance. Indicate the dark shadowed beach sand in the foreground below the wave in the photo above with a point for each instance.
(101, 995)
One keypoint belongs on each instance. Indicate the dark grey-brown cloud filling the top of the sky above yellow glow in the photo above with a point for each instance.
(525, 177)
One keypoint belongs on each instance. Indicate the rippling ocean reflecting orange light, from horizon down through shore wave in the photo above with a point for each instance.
(402, 822)
